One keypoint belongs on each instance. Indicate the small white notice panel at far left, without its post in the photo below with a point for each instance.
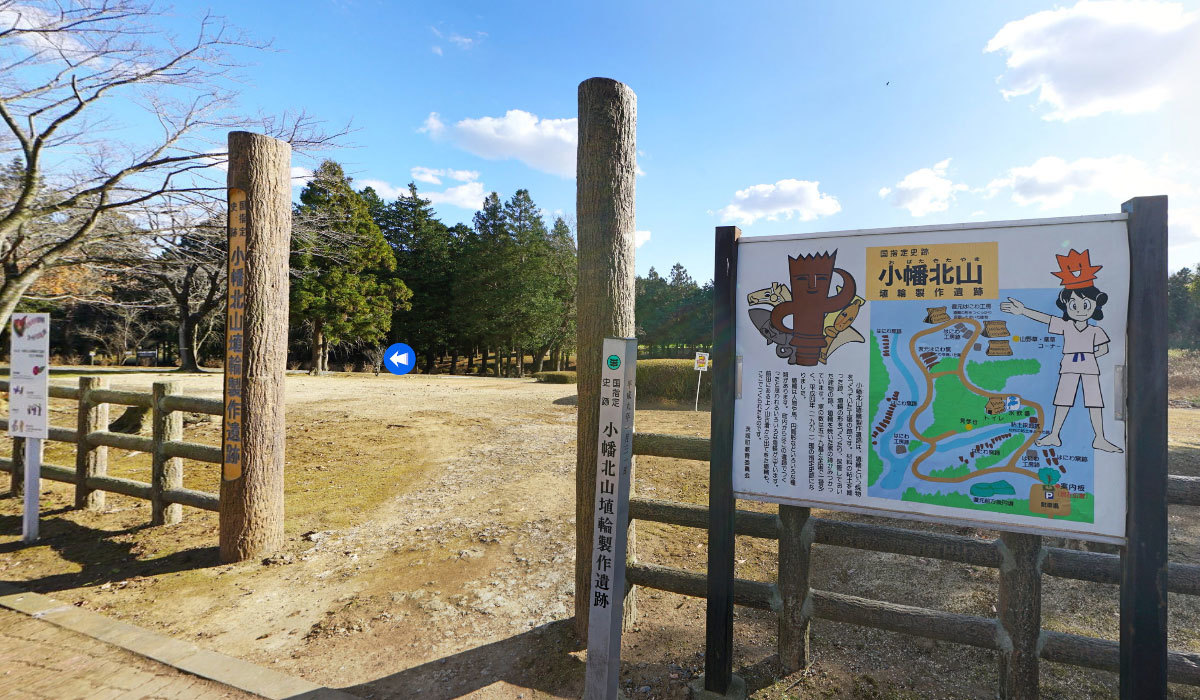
(29, 376)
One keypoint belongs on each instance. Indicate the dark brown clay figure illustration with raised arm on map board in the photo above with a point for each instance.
(811, 277)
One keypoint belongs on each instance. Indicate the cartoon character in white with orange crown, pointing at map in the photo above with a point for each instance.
(1083, 344)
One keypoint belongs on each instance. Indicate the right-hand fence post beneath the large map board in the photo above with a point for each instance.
(1021, 614)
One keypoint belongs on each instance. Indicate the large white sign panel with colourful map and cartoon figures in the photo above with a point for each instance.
(965, 374)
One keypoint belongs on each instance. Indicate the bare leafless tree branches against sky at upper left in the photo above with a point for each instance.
(73, 71)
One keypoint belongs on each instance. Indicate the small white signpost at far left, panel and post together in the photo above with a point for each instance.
(28, 406)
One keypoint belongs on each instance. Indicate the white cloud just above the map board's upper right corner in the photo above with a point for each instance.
(1053, 182)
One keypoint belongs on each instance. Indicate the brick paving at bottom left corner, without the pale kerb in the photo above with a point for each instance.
(41, 660)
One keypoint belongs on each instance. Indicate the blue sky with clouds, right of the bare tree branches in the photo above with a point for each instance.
(781, 118)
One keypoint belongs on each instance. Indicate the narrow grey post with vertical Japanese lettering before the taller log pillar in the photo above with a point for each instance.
(615, 459)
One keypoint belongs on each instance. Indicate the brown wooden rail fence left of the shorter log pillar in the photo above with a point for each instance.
(93, 439)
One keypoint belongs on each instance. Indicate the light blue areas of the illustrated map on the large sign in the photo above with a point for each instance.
(1035, 343)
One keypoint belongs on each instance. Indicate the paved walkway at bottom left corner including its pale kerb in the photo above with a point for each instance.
(50, 650)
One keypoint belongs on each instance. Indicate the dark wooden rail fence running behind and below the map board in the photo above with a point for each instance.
(1022, 559)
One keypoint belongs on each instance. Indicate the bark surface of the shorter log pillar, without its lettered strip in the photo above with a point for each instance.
(253, 505)
